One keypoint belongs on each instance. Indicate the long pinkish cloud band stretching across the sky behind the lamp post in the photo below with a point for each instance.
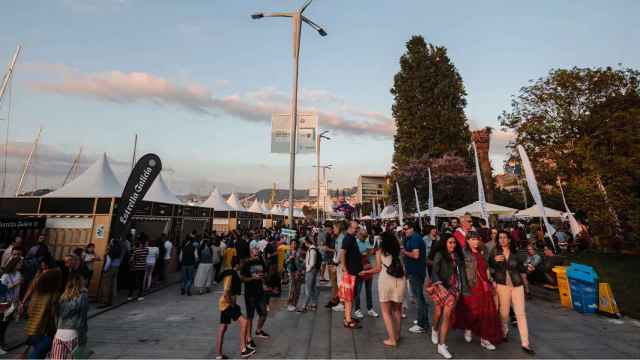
(256, 106)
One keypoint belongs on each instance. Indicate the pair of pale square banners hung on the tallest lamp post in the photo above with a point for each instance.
(306, 139)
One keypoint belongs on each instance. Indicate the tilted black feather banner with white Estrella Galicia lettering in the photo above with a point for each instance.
(139, 182)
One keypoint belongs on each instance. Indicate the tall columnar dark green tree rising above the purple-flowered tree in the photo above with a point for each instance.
(429, 101)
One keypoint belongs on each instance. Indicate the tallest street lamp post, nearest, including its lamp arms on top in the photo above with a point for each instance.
(296, 18)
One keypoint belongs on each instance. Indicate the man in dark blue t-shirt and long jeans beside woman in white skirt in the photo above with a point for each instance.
(415, 260)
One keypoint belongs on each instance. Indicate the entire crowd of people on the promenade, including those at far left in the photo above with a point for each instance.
(476, 278)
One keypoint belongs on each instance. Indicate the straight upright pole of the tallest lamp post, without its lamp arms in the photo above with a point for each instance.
(296, 20)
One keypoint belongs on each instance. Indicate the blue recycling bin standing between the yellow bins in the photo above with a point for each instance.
(583, 281)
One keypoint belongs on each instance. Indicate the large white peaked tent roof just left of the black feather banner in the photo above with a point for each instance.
(98, 180)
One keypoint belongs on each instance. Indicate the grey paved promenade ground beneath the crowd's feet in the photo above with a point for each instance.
(168, 325)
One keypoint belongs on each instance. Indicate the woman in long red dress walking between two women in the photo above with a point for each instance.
(477, 312)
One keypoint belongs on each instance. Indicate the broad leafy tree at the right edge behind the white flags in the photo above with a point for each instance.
(581, 124)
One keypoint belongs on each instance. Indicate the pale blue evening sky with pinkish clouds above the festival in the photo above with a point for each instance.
(197, 80)
